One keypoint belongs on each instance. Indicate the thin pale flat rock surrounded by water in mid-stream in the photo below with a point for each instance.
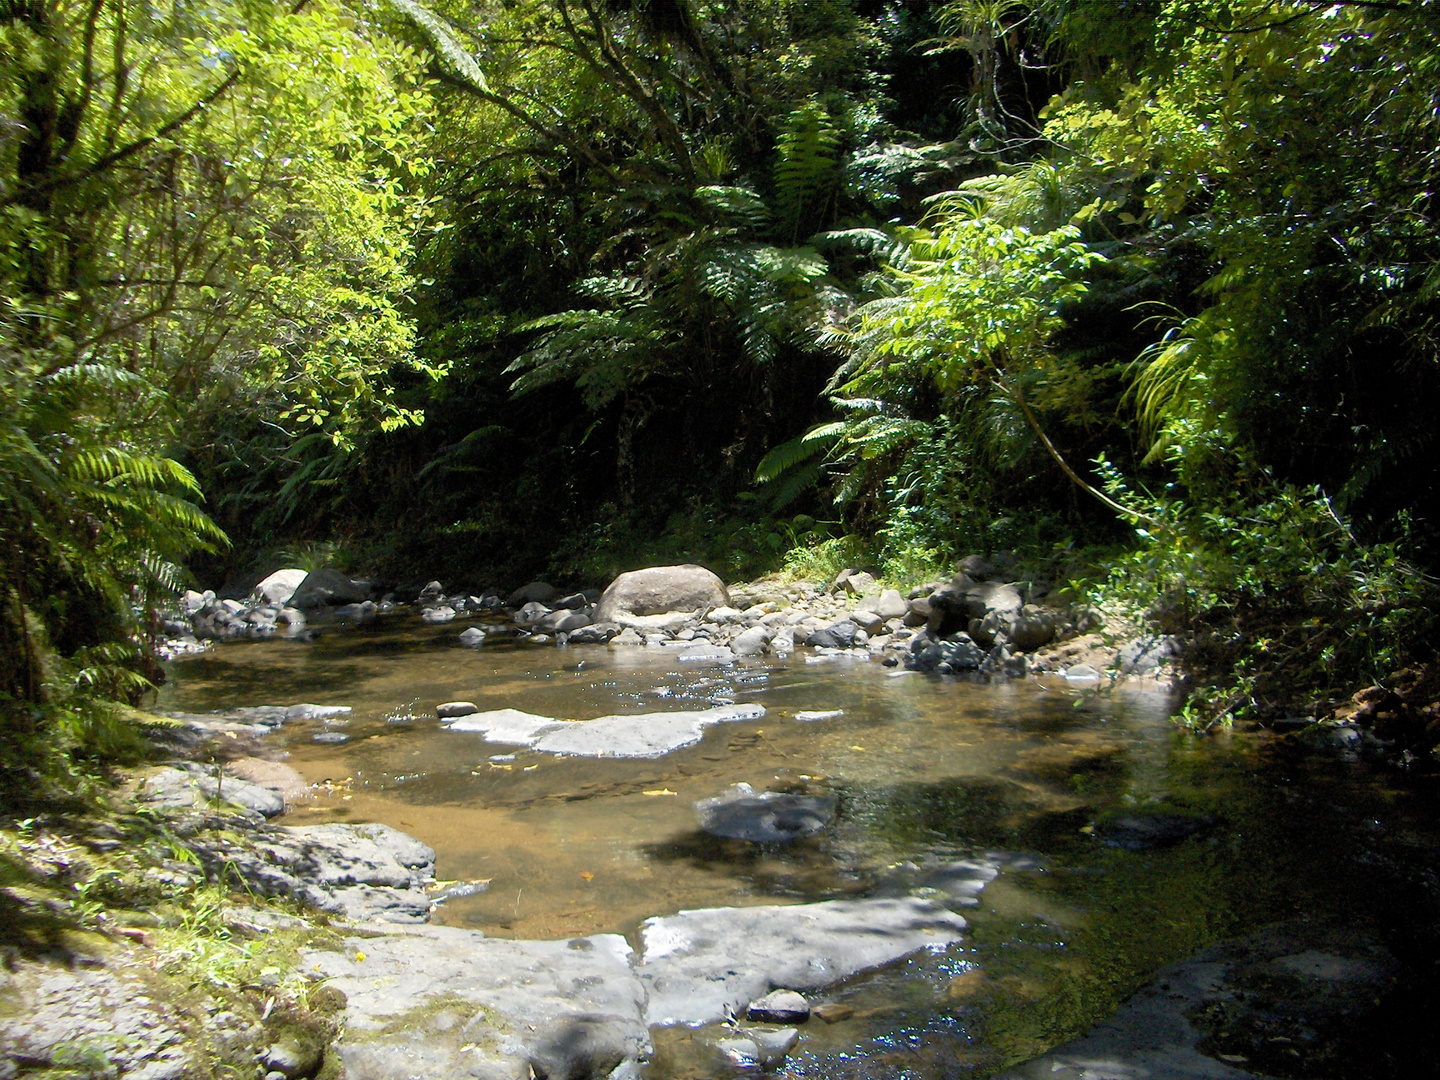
(646, 735)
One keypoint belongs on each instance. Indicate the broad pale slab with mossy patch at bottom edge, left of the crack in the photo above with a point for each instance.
(441, 1002)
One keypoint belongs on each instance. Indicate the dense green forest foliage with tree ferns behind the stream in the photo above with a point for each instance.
(489, 290)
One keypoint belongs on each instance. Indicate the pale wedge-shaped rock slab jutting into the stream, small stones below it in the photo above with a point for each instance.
(703, 963)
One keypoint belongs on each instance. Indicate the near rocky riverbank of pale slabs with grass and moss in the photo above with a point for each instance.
(315, 961)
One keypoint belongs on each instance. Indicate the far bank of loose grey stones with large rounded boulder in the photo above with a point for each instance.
(983, 621)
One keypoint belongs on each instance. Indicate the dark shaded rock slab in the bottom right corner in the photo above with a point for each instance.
(1321, 980)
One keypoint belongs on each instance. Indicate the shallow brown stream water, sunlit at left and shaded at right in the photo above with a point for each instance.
(1019, 775)
